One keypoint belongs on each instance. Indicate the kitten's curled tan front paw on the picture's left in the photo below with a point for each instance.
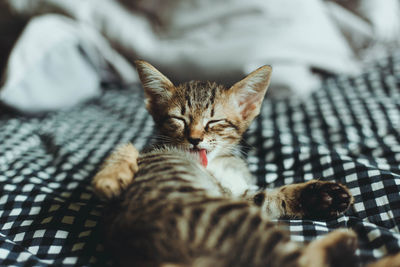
(117, 172)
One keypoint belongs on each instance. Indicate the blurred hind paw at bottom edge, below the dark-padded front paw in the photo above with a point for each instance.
(335, 249)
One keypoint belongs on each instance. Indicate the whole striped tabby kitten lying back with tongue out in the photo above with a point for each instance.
(186, 203)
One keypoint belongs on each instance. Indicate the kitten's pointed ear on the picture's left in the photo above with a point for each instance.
(156, 86)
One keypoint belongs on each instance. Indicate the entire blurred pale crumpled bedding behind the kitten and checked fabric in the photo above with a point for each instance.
(55, 54)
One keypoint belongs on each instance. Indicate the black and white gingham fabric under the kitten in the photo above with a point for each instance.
(348, 131)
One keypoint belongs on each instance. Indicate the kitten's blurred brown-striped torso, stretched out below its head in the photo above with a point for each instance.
(175, 214)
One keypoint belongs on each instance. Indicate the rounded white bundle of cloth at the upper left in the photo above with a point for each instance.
(55, 64)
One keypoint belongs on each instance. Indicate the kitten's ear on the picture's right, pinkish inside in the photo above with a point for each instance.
(247, 95)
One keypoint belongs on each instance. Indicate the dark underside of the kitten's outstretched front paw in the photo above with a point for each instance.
(323, 200)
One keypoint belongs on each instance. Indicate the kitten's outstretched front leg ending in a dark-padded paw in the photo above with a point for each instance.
(314, 199)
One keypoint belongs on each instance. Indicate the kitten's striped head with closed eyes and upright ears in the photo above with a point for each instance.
(203, 115)
